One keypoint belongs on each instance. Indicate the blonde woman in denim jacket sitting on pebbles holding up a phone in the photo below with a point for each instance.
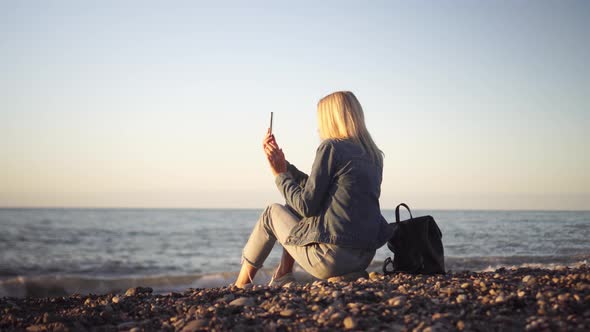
(332, 223)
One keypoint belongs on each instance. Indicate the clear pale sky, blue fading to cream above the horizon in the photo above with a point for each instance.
(476, 104)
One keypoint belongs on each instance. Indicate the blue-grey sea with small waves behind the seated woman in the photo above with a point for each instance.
(63, 251)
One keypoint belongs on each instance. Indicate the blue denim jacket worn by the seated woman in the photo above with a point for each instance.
(339, 201)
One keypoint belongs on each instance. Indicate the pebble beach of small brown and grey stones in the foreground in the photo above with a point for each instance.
(513, 299)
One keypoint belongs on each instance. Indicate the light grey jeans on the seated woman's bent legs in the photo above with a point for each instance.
(321, 260)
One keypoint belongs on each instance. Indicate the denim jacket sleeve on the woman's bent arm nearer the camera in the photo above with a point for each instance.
(307, 200)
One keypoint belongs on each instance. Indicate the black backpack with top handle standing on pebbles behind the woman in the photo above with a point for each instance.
(416, 245)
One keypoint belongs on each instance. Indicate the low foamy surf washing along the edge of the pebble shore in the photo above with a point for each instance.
(64, 285)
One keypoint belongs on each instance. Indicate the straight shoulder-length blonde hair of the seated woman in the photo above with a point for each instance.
(340, 116)
